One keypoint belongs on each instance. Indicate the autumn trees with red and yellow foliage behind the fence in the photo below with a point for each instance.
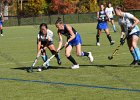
(39, 7)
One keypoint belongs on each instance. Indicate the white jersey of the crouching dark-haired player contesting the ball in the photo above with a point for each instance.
(49, 36)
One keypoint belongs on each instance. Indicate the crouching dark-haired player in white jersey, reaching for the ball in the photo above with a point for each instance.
(45, 40)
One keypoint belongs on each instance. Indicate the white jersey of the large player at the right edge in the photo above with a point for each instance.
(127, 22)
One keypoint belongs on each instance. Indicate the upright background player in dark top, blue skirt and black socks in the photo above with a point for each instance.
(102, 18)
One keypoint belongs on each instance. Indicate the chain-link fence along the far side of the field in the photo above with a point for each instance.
(50, 19)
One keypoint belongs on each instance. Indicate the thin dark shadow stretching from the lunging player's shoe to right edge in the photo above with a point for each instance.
(102, 66)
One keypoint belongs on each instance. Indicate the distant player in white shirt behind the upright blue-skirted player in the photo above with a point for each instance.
(110, 11)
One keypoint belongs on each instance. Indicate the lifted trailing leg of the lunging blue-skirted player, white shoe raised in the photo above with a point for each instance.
(81, 53)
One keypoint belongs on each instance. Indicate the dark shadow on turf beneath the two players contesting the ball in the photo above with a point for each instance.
(50, 67)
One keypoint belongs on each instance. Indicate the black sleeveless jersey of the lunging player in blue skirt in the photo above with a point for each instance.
(66, 33)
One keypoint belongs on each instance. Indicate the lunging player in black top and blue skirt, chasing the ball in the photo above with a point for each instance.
(73, 39)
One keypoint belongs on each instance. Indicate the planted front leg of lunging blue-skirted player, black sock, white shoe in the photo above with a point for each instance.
(70, 58)
